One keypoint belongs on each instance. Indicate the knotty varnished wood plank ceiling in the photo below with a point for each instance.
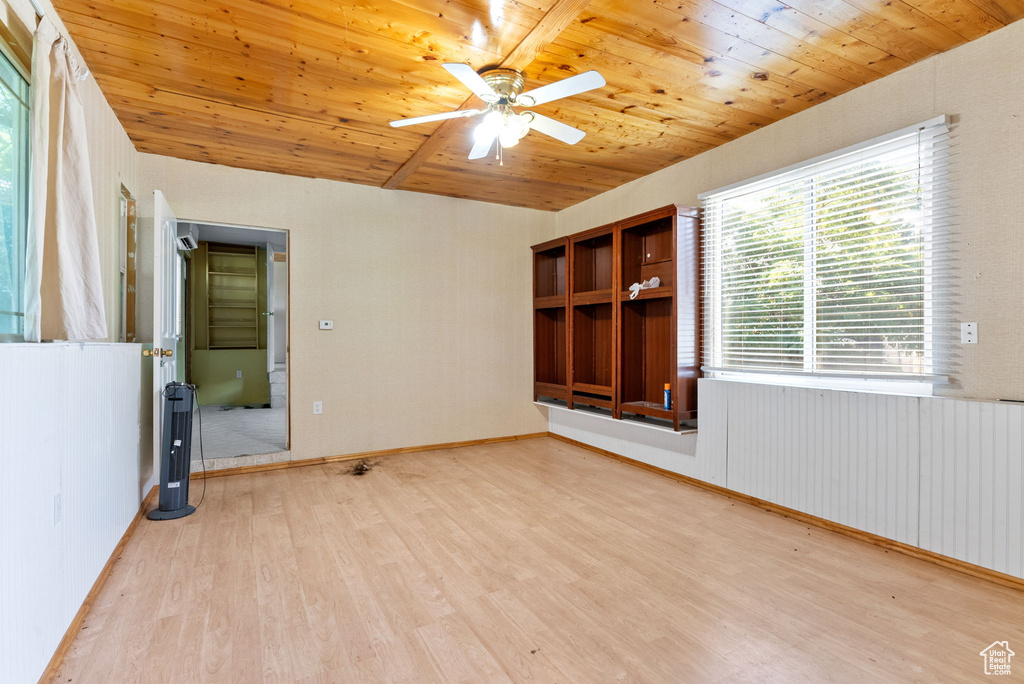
(308, 88)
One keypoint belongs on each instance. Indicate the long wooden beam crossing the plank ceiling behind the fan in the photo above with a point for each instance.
(562, 15)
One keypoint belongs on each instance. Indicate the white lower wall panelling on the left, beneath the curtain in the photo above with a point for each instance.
(69, 424)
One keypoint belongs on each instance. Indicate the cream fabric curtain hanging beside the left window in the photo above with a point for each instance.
(64, 294)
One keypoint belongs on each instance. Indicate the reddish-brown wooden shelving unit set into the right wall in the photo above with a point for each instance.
(593, 345)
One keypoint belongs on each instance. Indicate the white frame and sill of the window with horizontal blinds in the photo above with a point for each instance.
(934, 312)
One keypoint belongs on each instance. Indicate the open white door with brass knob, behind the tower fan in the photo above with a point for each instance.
(166, 312)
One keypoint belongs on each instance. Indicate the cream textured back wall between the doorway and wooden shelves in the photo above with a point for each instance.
(431, 298)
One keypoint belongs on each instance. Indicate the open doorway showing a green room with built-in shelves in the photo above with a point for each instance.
(237, 343)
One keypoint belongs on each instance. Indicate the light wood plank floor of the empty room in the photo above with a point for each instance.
(529, 562)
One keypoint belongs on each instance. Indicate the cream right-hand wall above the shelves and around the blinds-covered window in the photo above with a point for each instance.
(982, 84)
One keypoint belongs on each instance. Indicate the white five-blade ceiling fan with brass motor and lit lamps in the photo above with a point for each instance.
(501, 90)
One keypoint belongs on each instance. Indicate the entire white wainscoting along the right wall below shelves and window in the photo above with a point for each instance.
(943, 475)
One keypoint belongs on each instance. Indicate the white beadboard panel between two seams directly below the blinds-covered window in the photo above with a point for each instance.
(846, 457)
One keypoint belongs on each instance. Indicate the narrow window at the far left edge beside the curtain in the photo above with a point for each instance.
(14, 198)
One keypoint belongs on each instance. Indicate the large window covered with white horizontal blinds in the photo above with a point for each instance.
(833, 268)
